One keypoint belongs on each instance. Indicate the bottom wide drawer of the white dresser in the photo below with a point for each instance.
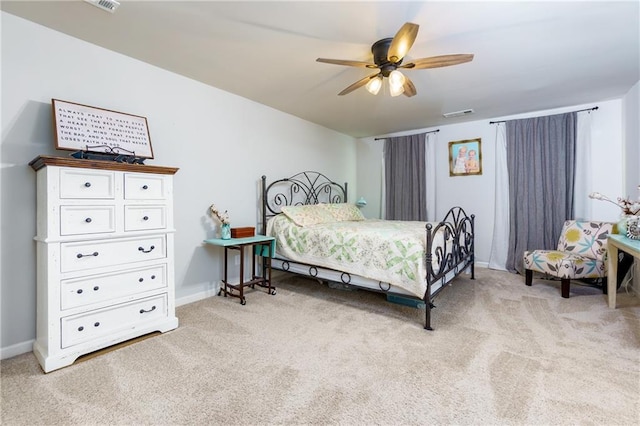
(95, 324)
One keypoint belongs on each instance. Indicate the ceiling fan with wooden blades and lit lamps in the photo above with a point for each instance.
(388, 54)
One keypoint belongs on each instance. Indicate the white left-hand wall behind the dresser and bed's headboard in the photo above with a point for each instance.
(222, 144)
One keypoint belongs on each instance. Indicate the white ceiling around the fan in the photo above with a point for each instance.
(529, 56)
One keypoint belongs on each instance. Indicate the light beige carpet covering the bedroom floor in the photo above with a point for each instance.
(501, 353)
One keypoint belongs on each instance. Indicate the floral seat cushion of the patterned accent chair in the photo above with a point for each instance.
(563, 264)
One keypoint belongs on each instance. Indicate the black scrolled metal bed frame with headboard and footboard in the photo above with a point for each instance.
(311, 187)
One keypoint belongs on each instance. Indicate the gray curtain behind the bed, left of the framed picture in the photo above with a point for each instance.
(405, 178)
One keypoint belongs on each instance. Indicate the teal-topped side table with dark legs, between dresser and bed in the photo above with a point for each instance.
(262, 247)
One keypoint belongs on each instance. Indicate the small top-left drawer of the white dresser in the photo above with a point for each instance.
(86, 183)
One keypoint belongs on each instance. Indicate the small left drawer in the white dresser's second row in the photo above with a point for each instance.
(75, 220)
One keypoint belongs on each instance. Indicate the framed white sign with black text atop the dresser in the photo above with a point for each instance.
(84, 128)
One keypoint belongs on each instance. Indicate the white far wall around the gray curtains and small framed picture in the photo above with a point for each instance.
(476, 193)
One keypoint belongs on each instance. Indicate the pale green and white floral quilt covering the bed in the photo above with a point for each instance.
(384, 250)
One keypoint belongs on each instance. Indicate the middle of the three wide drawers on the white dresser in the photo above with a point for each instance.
(100, 288)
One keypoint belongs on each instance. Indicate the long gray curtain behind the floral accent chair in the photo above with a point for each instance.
(541, 156)
